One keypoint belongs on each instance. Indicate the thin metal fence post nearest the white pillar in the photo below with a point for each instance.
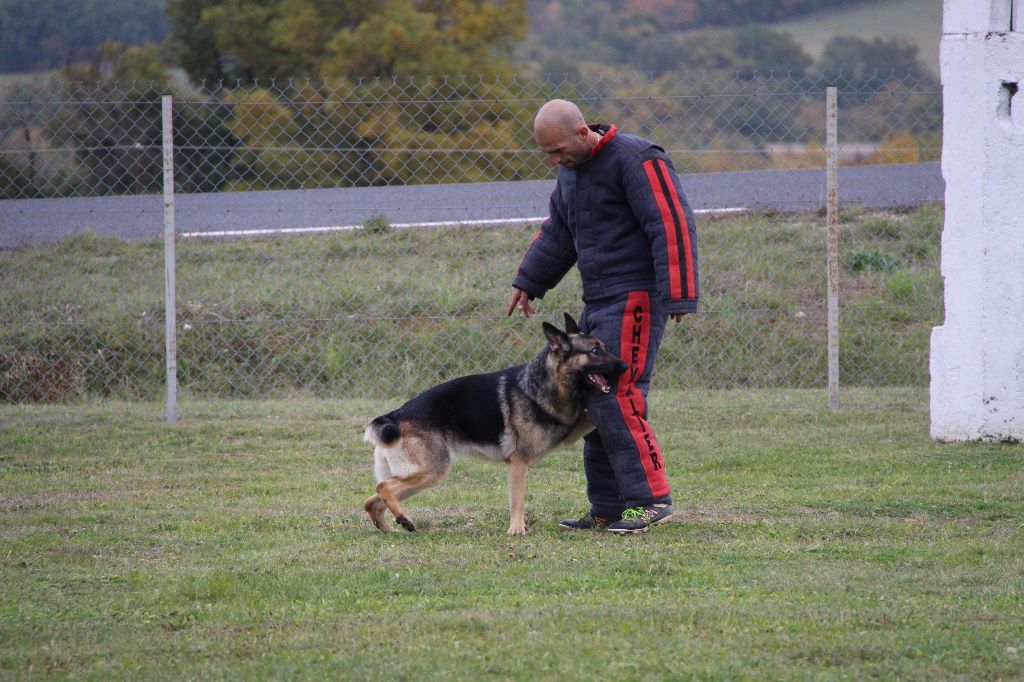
(832, 174)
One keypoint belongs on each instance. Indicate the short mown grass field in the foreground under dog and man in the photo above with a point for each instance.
(809, 545)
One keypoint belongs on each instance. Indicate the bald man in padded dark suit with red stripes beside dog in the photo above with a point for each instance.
(618, 212)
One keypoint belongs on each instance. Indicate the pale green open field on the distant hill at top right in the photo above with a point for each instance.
(917, 21)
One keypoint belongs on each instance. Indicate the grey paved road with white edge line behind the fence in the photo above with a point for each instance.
(237, 215)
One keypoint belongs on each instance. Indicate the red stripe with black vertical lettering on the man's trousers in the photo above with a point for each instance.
(635, 342)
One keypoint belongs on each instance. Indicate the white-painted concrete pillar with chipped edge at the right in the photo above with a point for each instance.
(977, 356)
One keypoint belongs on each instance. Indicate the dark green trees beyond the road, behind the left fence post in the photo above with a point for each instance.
(105, 119)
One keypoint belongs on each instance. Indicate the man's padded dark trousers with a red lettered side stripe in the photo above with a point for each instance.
(623, 460)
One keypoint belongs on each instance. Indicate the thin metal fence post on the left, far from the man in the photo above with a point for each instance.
(170, 306)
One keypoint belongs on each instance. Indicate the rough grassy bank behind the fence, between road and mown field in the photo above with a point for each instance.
(335, 317)
